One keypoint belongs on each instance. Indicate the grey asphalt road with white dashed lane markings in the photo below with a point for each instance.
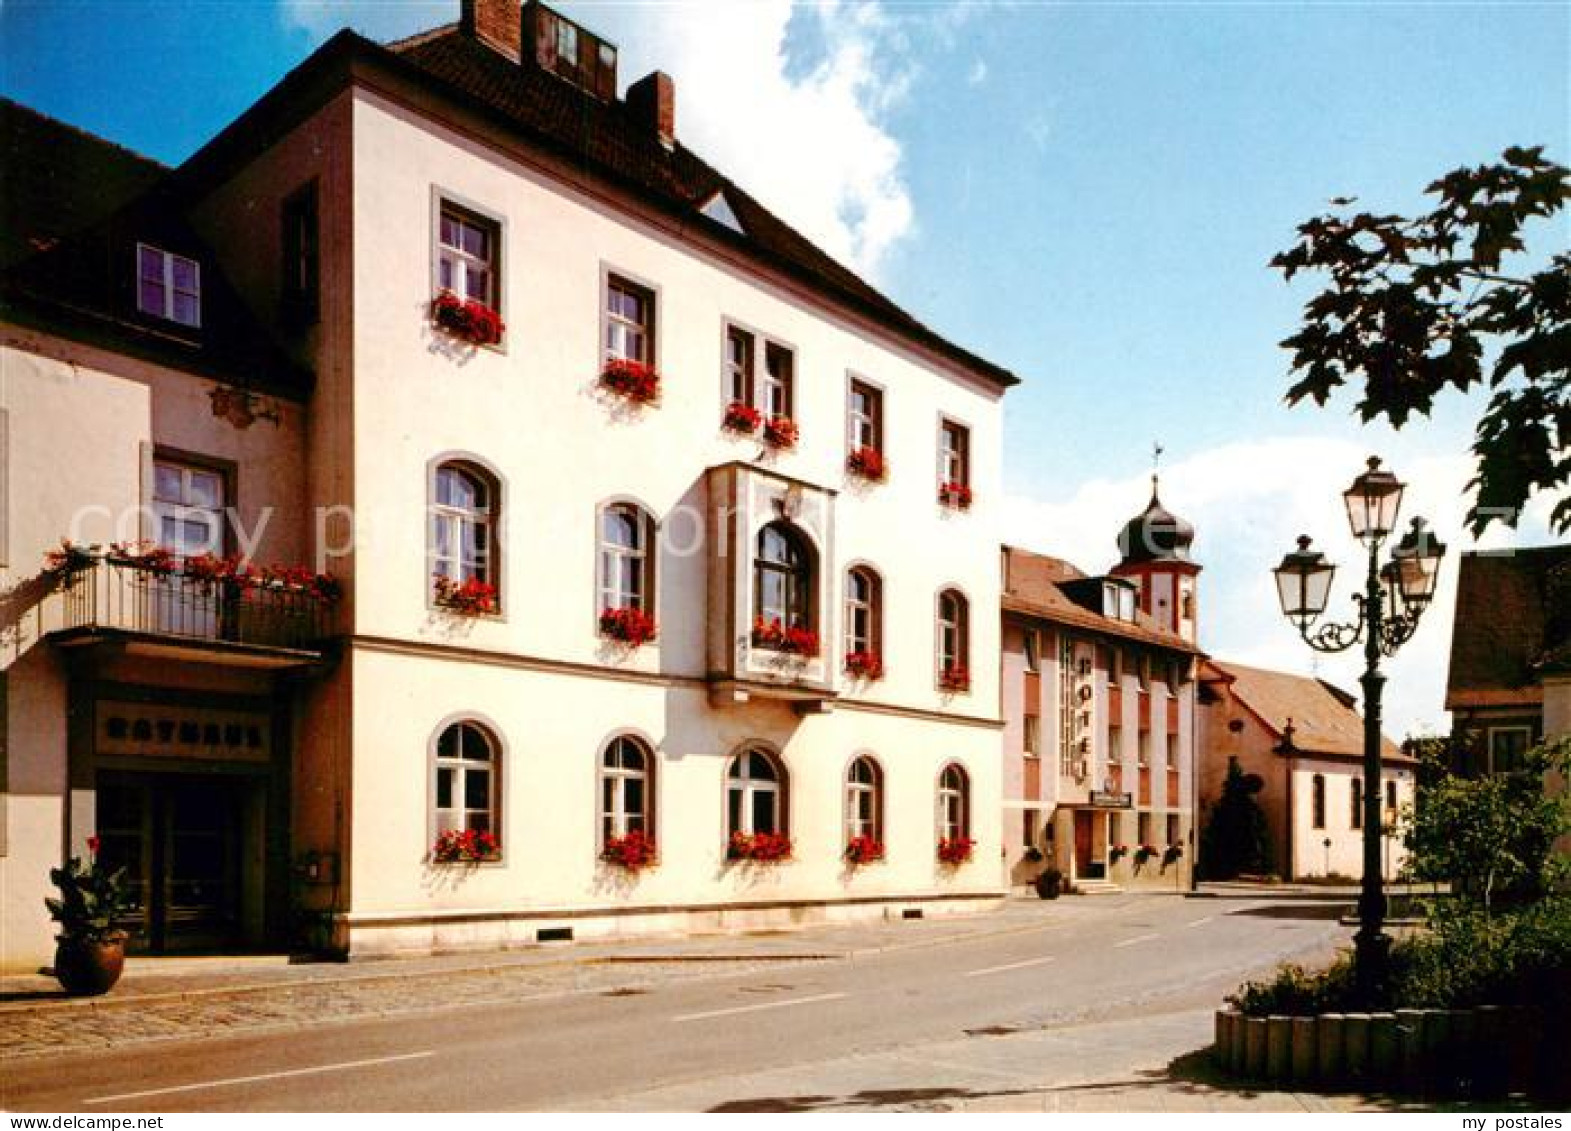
(695, 1039)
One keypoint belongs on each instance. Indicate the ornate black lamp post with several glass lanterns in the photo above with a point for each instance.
(1390, 609)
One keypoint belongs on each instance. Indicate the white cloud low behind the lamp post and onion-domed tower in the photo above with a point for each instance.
(1248, 502)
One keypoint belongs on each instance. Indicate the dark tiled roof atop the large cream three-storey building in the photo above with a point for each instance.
(606, 139)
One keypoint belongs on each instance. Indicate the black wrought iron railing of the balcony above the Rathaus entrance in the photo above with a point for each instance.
(128, 596)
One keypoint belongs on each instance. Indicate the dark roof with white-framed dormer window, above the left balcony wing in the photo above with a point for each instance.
(75, 268)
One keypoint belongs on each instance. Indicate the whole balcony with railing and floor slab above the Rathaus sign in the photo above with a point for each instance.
(156, 610)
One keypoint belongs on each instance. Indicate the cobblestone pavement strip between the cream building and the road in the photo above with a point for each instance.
(170, 1017)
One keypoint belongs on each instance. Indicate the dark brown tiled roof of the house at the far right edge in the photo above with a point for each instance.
(1512, 621)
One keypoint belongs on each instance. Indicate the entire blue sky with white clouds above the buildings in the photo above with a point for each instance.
(1083, 192)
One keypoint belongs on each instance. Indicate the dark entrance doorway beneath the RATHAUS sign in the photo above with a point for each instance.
(180, 840)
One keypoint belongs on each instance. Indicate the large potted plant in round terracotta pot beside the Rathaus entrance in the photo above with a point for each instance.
(92, 950)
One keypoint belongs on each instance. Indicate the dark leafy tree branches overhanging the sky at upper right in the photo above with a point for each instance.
(1418, 304)
